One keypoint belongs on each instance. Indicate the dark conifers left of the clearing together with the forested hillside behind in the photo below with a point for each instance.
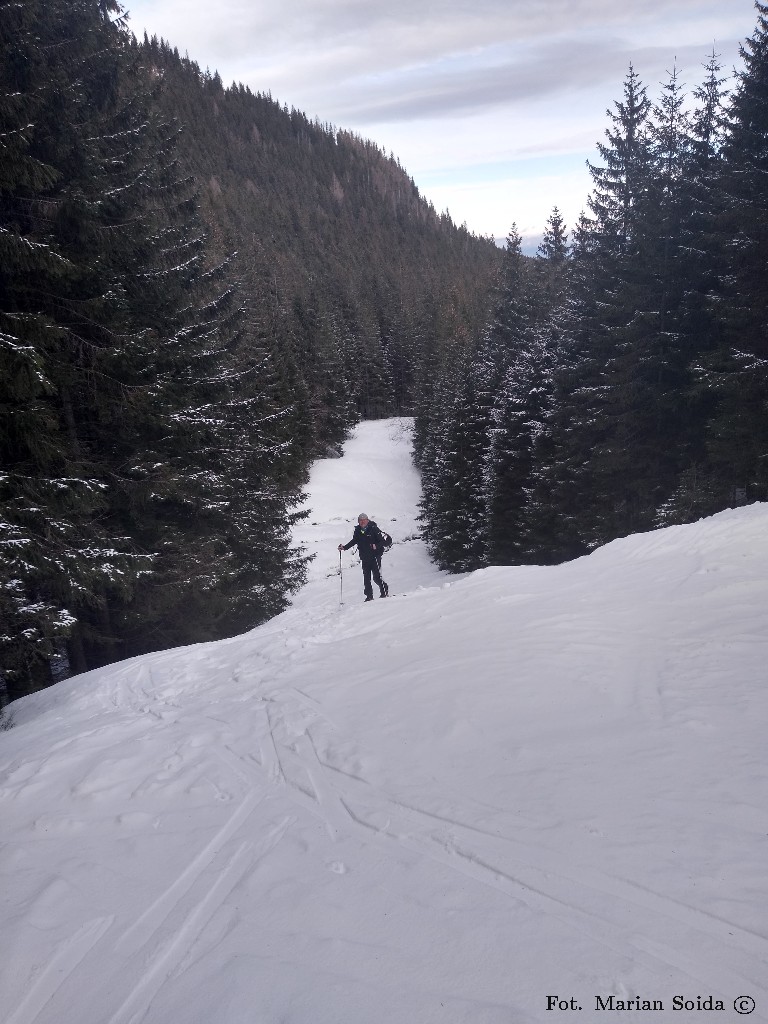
(201, 291)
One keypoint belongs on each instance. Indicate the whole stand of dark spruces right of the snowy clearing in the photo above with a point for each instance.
(622, 382)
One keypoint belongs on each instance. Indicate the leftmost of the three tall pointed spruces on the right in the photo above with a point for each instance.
(589, 470)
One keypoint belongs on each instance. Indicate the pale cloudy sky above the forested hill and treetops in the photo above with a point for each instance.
(492, 106)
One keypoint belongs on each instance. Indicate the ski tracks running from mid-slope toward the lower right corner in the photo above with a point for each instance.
(546, 890)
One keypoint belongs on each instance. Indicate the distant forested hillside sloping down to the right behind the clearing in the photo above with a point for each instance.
(354, 270)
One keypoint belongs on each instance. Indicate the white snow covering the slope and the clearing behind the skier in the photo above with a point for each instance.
(452, 806)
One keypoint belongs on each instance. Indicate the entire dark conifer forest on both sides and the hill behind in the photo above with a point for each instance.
(202, 291)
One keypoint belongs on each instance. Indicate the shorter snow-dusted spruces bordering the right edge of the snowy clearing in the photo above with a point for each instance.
(477, 473)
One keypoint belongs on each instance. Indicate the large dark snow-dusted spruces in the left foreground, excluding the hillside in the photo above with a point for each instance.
(146, 450)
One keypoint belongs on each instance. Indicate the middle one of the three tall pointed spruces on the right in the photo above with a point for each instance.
(651, 370)
